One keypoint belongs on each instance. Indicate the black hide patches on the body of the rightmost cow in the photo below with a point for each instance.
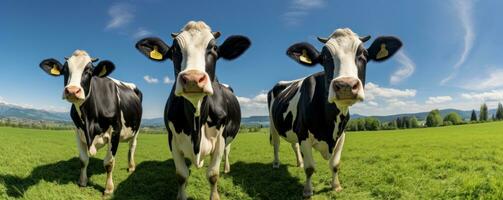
(314, 114)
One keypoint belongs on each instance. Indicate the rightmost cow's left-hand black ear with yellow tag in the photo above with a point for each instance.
(304, 53)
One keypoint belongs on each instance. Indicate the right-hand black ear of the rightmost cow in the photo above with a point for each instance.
(383, 48)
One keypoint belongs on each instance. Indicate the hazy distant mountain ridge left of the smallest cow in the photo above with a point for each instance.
(12, 111)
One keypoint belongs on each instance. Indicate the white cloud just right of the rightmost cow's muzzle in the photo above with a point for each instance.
(374, 91)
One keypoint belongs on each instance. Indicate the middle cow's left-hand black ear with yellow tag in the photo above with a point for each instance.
(154, 48)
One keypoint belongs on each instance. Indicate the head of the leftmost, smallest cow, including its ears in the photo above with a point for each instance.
(78, 70)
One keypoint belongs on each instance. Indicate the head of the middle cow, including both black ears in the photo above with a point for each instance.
(194, 53)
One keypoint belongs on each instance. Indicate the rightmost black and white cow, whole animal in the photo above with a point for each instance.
(313, 111)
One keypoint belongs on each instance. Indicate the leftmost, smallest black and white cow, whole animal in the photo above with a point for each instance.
(104, 110)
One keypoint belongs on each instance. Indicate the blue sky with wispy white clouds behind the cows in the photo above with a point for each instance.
(451, 57)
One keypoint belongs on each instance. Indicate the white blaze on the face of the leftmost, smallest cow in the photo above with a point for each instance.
(76, 65)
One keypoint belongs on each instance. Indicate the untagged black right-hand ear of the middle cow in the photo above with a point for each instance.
(233, 47)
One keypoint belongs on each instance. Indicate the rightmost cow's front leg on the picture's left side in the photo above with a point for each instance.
(306, 149)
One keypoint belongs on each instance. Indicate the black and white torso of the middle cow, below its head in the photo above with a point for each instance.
(197, 136)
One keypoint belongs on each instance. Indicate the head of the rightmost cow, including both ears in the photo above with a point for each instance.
(344, 59)
